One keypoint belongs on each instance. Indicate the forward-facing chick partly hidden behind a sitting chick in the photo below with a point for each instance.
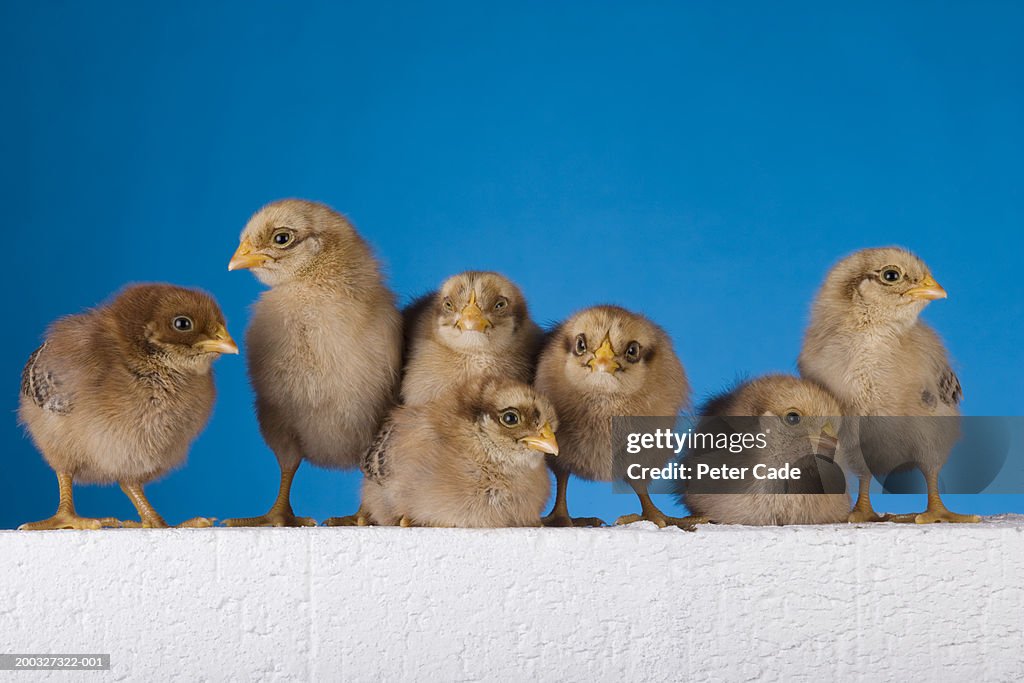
(476, 326)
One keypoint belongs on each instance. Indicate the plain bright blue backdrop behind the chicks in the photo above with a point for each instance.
(704, 163)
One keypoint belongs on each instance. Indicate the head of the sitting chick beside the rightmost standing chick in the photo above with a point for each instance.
(796, 416)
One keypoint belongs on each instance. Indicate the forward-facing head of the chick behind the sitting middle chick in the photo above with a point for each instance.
(477, 311)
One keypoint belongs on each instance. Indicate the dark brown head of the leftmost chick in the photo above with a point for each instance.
(183, 328)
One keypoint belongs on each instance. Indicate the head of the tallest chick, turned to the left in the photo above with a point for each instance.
(293, 240)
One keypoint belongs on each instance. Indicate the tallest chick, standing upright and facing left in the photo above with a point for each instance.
(324, 347)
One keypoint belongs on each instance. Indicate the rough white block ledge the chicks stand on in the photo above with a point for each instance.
(880, 603)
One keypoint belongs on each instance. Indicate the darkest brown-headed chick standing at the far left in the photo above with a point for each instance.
(119, 393)
